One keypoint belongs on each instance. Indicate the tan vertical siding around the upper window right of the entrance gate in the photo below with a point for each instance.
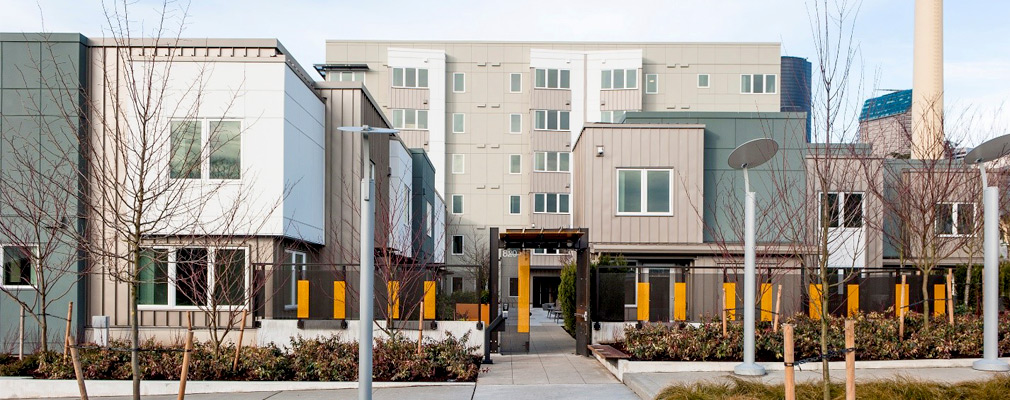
(665, 147)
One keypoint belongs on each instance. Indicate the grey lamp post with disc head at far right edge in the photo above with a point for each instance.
(987, 152)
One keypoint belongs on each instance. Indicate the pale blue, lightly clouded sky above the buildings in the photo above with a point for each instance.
(977, 50)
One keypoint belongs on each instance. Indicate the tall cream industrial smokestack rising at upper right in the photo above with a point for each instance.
(928, 81)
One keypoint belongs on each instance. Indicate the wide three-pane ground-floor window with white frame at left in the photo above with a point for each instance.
(193, 277)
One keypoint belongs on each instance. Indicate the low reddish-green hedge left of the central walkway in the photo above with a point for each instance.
(396, 360)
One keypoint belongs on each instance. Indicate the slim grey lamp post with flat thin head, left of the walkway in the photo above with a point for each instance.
(367, 271)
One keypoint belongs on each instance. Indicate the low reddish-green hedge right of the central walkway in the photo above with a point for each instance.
(876, 339)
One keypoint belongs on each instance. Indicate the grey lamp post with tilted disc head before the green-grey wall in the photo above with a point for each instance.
(747, 156)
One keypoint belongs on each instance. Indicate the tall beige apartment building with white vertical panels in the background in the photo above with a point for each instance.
(499, 120)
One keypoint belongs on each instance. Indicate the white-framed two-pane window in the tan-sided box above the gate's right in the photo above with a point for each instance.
(644, 192)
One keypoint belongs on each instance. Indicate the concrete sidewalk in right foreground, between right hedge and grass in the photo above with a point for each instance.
(649, 385)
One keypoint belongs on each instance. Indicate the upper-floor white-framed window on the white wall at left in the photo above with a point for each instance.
(206, 149)
